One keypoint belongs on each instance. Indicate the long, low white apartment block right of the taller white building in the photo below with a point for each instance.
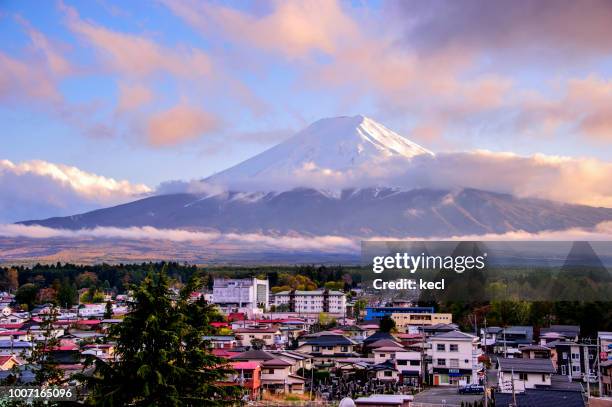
(333, 302)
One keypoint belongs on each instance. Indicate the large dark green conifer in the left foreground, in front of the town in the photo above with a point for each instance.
(162, 358)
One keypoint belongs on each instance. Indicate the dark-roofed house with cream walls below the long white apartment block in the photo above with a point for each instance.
(327, 348)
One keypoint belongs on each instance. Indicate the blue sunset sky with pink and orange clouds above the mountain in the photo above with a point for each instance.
(114, 98)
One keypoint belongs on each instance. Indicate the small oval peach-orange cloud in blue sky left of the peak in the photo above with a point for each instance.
(178, 124)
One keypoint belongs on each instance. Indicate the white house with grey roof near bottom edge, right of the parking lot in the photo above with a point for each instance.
(518, 374)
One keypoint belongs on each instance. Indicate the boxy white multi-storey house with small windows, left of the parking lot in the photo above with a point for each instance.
(454, 358)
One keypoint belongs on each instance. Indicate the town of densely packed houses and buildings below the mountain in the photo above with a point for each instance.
(327, 346)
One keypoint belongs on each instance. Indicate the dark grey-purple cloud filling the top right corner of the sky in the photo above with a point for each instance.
(535, 26)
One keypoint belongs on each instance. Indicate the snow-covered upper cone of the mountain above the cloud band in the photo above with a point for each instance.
(329, 147)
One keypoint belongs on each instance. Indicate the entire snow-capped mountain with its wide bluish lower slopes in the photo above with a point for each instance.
(279, 191)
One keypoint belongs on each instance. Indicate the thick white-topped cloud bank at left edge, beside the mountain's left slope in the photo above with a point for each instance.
(39, 189)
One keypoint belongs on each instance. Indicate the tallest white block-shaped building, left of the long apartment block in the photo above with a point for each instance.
(241, 295)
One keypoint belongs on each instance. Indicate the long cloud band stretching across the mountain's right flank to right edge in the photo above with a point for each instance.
(565, 179)
